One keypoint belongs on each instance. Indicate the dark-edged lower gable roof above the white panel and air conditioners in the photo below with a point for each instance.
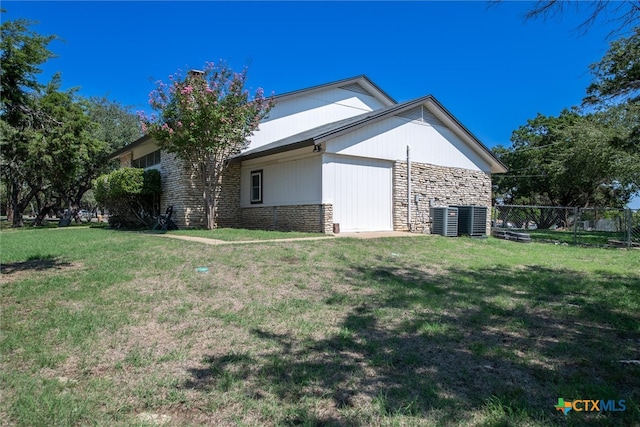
(331, 130)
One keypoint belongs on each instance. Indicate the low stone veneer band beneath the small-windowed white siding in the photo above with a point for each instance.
(308, 218)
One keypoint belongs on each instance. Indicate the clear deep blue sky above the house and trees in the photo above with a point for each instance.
(488, 66)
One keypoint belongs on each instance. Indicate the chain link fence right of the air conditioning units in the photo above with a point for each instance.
(569, 225)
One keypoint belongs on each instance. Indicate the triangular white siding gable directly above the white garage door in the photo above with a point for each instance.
(388, 139)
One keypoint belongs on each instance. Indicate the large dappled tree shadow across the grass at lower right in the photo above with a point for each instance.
(505, 342)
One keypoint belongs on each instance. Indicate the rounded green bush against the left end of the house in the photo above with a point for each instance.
(131, 195)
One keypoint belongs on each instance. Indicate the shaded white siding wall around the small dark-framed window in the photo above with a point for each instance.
(291, 180)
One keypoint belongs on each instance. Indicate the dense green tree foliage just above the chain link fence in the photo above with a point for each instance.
(571, 160)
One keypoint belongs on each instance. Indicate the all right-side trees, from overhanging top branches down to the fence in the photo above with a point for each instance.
(589, 155)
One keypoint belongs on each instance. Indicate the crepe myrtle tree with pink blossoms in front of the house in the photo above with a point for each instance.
(204, 118)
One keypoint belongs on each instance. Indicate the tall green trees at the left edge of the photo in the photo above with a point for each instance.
(53, 143)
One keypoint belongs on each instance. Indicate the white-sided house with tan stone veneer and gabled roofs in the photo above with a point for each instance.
(334, 157)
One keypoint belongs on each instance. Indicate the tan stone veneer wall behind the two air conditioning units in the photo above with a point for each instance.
(446, 186)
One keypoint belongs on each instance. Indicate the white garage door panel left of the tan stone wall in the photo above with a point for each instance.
(361, 193)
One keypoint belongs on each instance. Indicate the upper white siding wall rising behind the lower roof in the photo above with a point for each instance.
(291, 116)
